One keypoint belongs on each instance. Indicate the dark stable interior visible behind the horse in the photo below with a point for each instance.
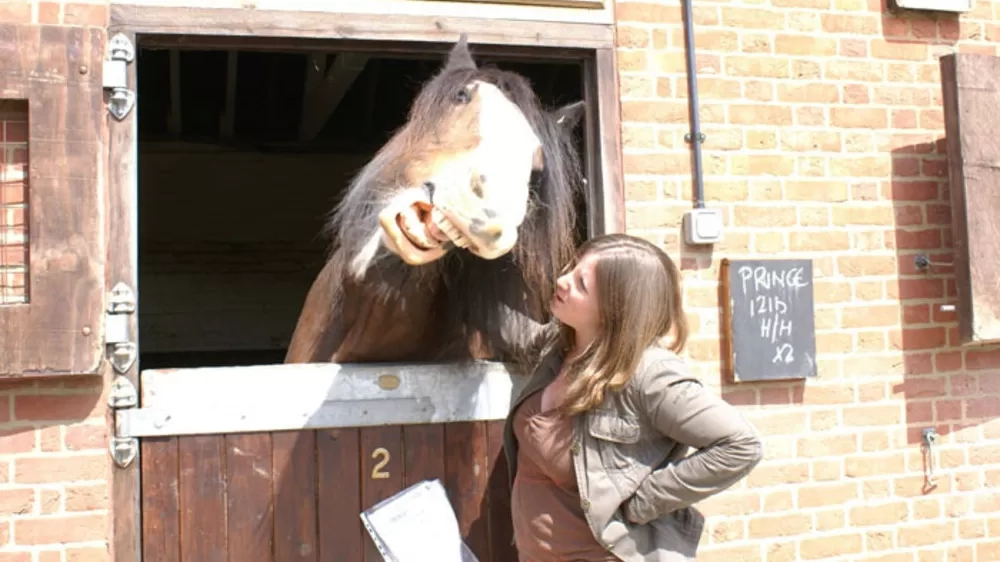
(233, 195)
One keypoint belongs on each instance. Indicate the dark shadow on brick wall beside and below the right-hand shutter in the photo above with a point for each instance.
(946, 387)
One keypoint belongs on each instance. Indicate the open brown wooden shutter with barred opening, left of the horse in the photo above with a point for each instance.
(57, 332)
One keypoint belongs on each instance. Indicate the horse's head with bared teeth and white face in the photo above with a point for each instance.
(462, 173)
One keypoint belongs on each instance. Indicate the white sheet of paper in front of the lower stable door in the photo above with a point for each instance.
(418, 525)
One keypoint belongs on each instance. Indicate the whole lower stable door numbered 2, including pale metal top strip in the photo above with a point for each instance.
(296, 495)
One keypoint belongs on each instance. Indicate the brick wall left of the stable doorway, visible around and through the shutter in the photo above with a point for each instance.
(54, 464)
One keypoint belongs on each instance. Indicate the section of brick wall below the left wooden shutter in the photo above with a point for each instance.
(54, 471)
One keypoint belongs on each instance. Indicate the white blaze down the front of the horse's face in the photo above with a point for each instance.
(485, 192)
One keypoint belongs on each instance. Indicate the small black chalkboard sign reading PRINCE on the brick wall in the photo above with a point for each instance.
(768, 323)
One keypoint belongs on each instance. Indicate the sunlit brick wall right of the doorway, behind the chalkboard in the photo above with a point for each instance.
(825, 140)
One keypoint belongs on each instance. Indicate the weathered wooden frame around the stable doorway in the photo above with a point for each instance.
(514, 31)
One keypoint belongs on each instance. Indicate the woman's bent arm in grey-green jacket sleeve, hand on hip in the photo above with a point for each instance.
(728, 447)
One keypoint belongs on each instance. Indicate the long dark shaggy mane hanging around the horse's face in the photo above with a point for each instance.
(521, 281)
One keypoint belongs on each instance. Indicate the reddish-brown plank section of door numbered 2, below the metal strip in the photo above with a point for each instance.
(296, 495)
